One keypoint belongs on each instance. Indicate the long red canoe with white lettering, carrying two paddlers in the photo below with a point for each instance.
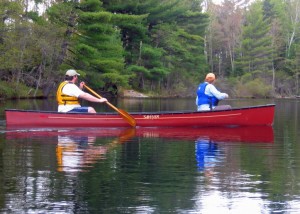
(246, 116)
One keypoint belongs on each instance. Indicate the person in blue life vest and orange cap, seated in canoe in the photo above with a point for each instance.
(208, 96)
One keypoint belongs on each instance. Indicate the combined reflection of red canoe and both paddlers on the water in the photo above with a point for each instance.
(76, 148)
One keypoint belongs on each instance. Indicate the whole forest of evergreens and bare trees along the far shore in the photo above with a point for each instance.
(157, 47)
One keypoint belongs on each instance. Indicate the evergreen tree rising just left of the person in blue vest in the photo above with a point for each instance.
(187, 40)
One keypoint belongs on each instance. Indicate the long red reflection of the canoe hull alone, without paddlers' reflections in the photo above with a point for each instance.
(249, 134)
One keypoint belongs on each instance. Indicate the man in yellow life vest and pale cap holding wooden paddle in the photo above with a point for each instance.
(68, 93)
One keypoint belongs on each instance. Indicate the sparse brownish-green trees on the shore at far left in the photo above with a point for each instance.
(28, 50)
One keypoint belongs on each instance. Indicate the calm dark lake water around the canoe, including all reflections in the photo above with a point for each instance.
(150, 170)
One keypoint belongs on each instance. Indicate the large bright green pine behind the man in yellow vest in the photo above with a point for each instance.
(97, 47)
